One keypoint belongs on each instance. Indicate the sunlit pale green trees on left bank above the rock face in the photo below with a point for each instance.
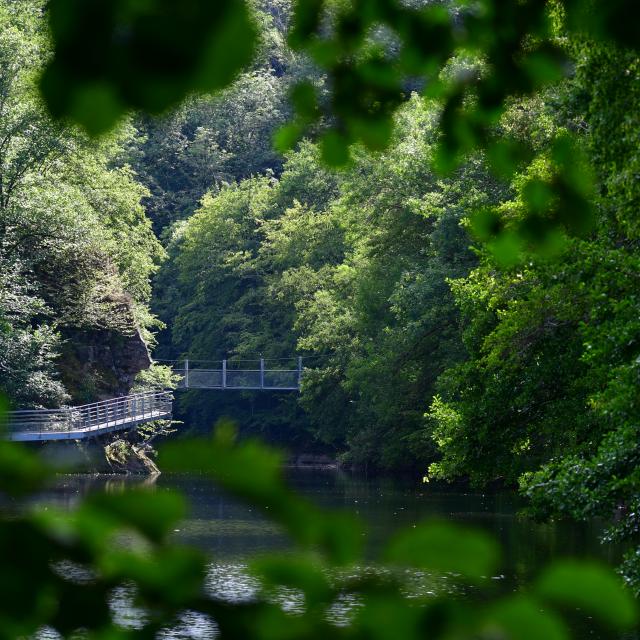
(76, 248)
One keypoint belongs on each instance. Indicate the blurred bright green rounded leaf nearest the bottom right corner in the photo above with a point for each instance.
(590, 587)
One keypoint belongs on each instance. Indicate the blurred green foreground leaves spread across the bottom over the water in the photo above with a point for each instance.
(60, 570)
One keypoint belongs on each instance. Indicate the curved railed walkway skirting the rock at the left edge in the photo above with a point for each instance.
(89, 420)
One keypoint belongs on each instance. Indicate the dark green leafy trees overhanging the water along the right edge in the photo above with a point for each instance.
(548, 395)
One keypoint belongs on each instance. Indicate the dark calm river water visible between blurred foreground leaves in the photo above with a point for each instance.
(232, 533)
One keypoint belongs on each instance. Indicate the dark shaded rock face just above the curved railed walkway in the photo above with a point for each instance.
(101, 364)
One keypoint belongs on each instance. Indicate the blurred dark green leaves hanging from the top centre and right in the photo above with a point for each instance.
(473, 60)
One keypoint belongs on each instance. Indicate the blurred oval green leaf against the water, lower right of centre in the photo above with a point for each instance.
(442, 546)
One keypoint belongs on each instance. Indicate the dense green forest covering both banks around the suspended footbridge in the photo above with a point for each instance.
(431, 345)
